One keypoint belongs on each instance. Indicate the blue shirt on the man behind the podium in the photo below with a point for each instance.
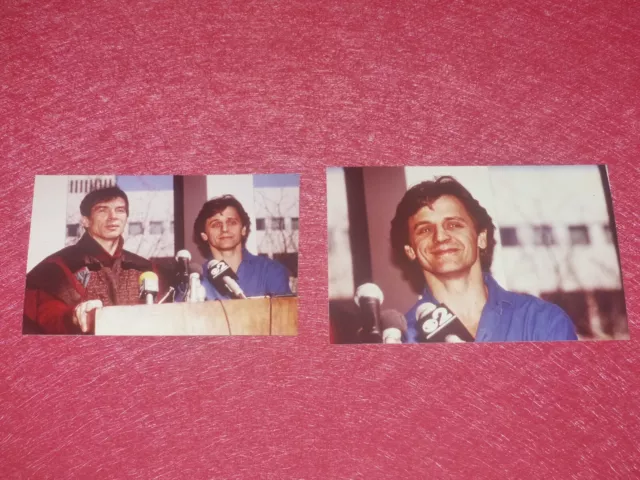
(257, 276)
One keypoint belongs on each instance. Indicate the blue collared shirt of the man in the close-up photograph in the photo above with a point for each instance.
(509, 317)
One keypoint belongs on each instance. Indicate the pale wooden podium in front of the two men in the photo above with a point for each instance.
(253, 316)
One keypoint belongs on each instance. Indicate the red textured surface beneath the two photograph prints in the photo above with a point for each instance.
(196, 88)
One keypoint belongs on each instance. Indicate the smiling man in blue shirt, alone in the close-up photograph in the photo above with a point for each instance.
(442, 232)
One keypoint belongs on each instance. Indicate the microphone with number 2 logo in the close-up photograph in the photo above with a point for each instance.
(436, 323)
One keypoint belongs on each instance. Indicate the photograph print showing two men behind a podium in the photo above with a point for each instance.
(163, 255)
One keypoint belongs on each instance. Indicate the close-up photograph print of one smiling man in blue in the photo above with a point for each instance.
(473, 254)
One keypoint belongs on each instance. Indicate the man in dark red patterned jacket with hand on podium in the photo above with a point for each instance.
(64, 289)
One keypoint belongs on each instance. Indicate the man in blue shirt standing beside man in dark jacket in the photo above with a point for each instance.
(221, 230)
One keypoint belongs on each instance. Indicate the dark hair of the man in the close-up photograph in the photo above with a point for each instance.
(424, 194)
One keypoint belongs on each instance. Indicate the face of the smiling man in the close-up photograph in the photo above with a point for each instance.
(443, 238)
